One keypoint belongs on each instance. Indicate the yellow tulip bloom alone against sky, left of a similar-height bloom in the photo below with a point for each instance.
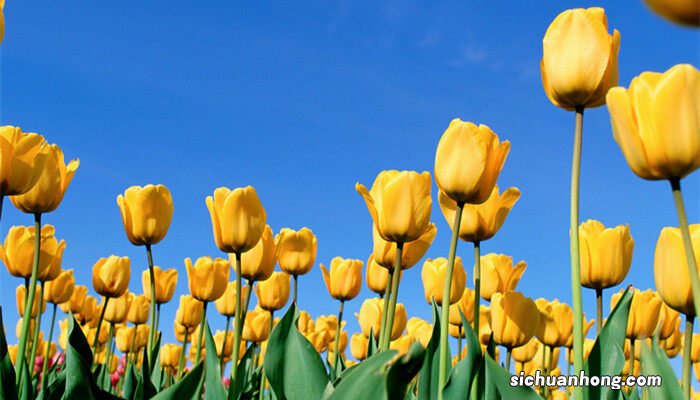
(146, 213)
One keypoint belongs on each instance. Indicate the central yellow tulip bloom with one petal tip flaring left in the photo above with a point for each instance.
(400, 204)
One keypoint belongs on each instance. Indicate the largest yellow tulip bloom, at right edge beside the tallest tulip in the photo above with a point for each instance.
(656, 122)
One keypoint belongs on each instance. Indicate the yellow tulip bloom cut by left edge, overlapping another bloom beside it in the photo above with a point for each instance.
(23, 157)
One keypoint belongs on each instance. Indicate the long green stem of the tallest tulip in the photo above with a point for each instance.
(574, 249)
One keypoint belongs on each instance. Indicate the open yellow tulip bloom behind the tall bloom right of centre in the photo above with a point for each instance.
(480, 221)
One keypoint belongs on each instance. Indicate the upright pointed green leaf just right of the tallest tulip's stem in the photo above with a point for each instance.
(607, 356)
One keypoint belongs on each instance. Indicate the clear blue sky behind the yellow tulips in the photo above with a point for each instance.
(302, 100)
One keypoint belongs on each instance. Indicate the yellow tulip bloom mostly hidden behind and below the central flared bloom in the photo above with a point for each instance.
(385, 252)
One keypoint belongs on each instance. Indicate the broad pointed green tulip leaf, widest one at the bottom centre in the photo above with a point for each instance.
(289, 353)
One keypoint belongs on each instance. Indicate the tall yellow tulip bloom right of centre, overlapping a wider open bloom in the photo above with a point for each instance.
(468, 160)
